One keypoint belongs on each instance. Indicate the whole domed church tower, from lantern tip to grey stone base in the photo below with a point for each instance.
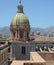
(19, 35)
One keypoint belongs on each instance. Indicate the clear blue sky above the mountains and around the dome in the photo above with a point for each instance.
(39, 12)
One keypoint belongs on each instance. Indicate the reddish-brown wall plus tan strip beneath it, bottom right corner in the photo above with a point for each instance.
(48, 57)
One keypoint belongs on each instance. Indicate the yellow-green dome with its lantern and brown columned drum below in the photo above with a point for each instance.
(20, 26)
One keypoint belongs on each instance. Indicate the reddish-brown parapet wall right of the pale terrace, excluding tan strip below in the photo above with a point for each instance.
(48, 56)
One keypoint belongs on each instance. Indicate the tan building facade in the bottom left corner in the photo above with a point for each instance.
(4, 56)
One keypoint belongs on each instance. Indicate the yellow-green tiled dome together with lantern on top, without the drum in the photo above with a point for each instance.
(20, 18)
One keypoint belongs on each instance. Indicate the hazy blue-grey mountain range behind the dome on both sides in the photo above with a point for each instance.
(50, 30)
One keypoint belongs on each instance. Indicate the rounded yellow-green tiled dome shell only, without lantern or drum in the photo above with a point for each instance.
(20, 19)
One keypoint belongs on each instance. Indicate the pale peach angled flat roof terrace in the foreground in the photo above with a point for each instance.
(35, 60)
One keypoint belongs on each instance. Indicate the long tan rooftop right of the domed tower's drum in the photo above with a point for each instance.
(40, 38)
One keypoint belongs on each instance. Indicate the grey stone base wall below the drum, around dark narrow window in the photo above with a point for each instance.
(16, 50)
